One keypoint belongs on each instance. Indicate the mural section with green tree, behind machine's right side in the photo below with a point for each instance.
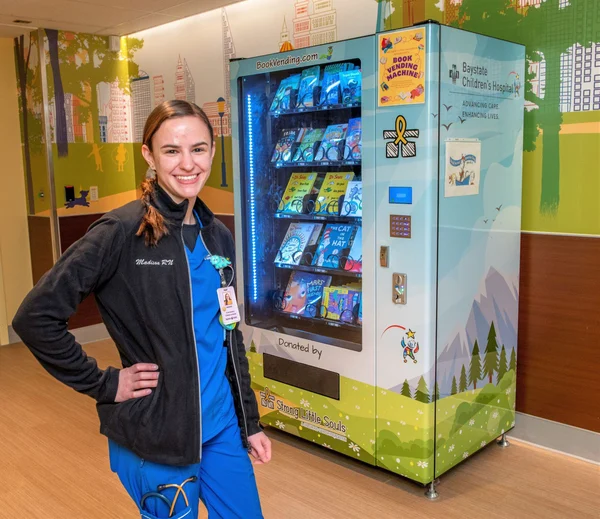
(562, 117)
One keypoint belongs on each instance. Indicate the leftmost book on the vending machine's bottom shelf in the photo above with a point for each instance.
(304, 292)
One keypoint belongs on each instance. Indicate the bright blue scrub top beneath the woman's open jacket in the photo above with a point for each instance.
(217, 401)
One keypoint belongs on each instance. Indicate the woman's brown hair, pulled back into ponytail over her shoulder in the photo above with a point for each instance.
(154, 227)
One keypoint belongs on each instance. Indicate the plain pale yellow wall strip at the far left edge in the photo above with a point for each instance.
(15, 263)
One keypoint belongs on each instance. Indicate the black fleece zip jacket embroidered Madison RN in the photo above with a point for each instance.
(144, 297)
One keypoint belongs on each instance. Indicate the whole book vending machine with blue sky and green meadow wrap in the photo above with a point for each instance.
(377, 187)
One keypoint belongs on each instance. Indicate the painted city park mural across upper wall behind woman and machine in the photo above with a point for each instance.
(105, 101)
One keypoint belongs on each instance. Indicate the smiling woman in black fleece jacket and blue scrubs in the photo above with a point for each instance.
(181, 411)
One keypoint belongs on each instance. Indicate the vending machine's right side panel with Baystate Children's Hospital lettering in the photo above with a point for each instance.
(481, 117)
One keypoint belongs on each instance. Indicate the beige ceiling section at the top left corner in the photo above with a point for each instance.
(107, 17)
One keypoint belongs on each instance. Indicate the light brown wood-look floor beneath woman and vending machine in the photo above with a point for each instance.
(54, 464)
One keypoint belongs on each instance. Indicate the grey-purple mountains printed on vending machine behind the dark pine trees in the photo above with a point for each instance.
(497, 303)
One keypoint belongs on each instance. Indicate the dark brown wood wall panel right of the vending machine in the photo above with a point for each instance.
(558, 357)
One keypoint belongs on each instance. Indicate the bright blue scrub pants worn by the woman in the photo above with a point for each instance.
(226, 483)
